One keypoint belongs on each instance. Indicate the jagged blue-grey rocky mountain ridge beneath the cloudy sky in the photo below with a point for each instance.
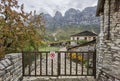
(72, 17)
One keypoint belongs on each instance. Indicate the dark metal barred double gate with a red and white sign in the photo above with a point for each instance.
(60, 63)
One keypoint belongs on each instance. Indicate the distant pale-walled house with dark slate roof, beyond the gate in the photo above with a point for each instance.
(85, 35)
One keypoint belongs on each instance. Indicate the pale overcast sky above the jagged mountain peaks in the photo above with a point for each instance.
(51, 6)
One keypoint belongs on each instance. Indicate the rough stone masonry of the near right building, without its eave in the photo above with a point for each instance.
(108, 51)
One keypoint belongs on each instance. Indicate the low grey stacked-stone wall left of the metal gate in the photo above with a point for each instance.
(11, 67)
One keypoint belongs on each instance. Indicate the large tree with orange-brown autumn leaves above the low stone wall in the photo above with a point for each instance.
(18, 30)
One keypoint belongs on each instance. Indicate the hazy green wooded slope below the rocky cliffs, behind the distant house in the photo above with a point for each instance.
(63, 33)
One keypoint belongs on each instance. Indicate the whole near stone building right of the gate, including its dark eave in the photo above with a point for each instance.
(108, 47)
